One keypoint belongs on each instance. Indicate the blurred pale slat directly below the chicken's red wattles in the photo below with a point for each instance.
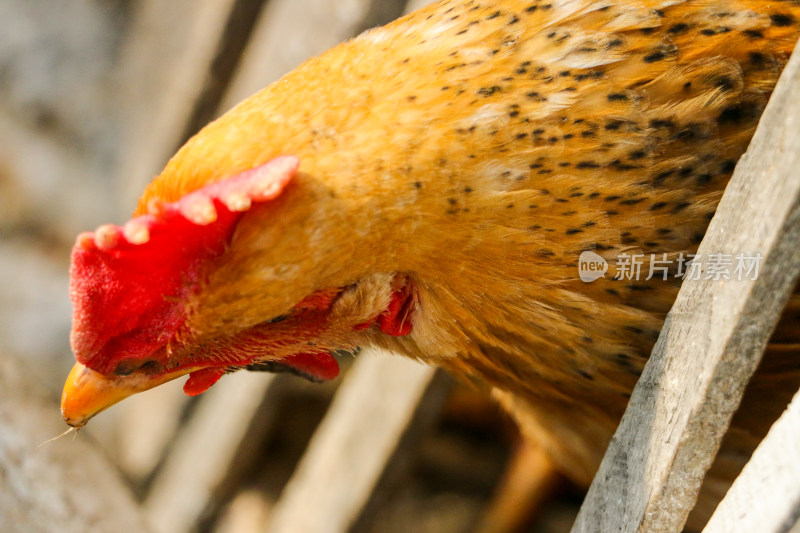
(210, 450)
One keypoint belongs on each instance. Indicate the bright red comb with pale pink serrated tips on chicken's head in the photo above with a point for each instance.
(127, 284)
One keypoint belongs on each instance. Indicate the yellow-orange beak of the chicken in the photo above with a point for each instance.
(87, 392)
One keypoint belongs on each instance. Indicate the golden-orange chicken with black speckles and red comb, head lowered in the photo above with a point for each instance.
(428, 187)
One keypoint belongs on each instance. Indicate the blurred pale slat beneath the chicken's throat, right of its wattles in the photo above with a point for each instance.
(384, 400)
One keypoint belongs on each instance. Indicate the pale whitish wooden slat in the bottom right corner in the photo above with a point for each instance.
(766, 495)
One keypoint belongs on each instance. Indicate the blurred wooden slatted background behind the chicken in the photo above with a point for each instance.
(94, 98)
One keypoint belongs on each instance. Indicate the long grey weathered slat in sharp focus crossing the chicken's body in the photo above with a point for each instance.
(711, 342)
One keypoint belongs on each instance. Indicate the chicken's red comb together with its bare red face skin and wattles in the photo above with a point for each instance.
(128, 284)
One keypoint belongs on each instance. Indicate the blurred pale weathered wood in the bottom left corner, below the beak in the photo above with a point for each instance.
(66, 486)
